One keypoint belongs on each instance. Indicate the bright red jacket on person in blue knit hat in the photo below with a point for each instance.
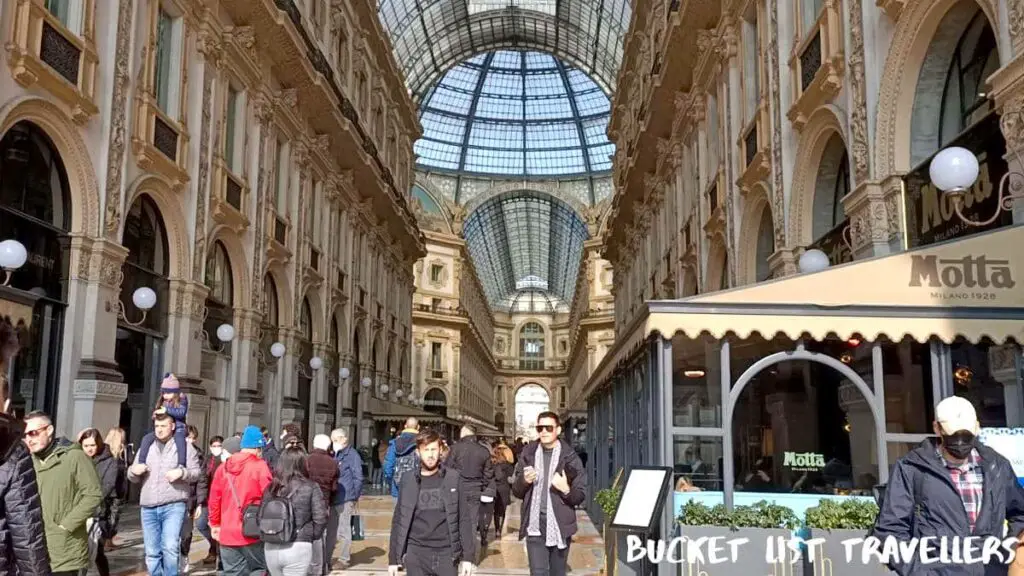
(250, 476)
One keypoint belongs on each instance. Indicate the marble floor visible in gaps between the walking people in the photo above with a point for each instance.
(506, 556)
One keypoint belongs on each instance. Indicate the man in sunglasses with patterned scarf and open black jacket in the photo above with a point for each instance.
(551, 482)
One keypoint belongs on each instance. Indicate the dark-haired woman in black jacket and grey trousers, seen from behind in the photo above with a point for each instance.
(308, 511)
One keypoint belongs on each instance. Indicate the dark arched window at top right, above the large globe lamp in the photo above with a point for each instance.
(964, 98)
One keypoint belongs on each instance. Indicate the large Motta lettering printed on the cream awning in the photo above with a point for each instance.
(969, 272)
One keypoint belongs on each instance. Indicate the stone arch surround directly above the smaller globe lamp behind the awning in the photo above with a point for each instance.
(822, 127)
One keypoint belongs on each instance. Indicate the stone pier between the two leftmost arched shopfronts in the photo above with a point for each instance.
(92, 324)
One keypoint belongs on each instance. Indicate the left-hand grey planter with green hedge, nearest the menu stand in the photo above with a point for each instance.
(762, 524)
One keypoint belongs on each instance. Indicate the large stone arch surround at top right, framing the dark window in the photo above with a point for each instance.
(919, 22)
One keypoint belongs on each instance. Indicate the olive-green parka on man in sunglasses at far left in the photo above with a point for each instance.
(69, 488)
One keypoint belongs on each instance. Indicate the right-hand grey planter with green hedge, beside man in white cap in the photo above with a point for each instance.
(837, 522)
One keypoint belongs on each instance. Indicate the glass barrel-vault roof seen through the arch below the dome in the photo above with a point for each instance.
(527, 244)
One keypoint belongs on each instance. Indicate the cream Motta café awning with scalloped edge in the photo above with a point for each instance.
(966, 289)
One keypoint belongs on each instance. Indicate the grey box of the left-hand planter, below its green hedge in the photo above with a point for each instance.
(750, 558)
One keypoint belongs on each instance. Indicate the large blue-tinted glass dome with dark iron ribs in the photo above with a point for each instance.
(516, 114)
